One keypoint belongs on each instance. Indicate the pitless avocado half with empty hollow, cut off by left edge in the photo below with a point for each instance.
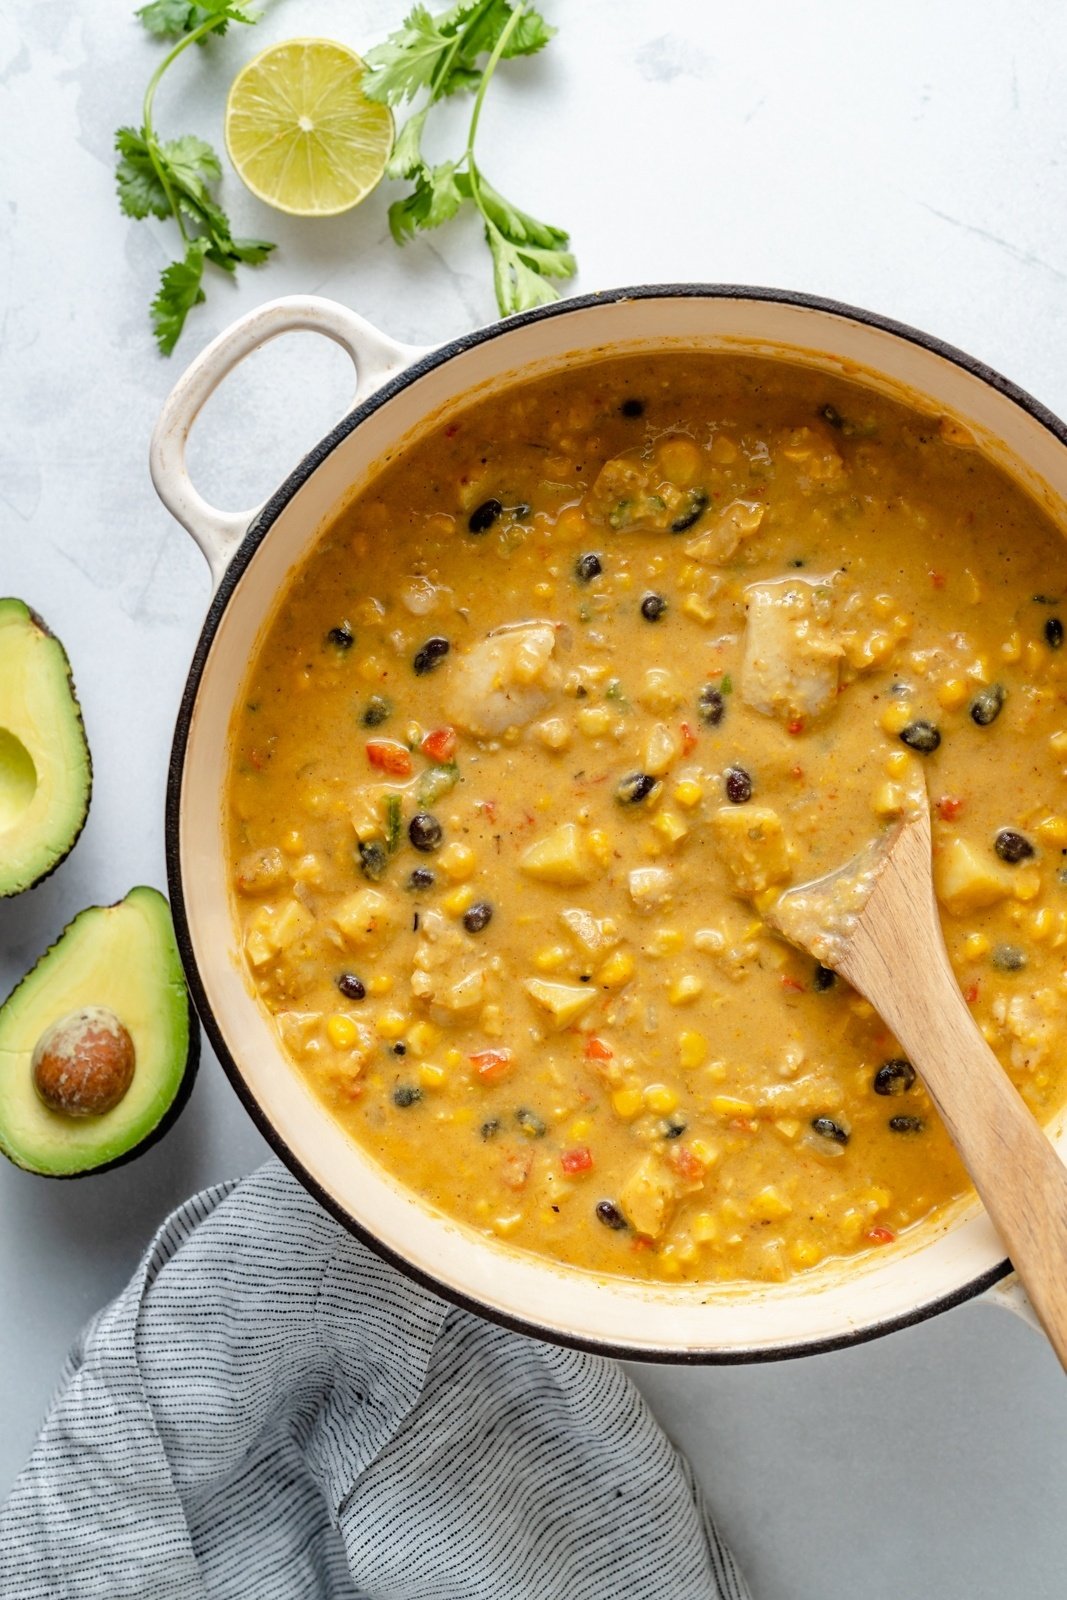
(46, 774)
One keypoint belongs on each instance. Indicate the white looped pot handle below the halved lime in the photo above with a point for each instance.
(375, 358)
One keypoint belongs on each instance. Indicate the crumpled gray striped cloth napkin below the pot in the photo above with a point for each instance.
(271, 1414)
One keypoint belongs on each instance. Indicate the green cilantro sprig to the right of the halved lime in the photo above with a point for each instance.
(438, 57)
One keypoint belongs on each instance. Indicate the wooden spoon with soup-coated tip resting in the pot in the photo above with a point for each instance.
(876, 922)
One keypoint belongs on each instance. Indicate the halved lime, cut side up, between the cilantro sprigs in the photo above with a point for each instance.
(302, 134)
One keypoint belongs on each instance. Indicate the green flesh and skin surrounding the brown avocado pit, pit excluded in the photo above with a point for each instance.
(122, 958)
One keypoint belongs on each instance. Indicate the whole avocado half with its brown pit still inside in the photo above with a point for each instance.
(98, 1044)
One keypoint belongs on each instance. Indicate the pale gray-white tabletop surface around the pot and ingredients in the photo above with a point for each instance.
(906, 158)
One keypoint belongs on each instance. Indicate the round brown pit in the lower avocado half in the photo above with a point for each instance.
(84, 1063)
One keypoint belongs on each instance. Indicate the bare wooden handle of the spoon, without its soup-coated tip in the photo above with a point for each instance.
(1017, 1172)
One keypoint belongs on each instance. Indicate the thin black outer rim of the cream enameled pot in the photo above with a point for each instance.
(258, 532)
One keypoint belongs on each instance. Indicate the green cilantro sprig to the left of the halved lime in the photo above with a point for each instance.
(172, 178)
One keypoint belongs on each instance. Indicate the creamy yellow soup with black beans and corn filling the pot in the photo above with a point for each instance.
(605, 665)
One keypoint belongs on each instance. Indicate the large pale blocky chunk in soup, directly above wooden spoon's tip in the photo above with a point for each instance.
(793, 652)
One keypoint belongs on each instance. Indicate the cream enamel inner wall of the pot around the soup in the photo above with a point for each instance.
(837, 1302)
